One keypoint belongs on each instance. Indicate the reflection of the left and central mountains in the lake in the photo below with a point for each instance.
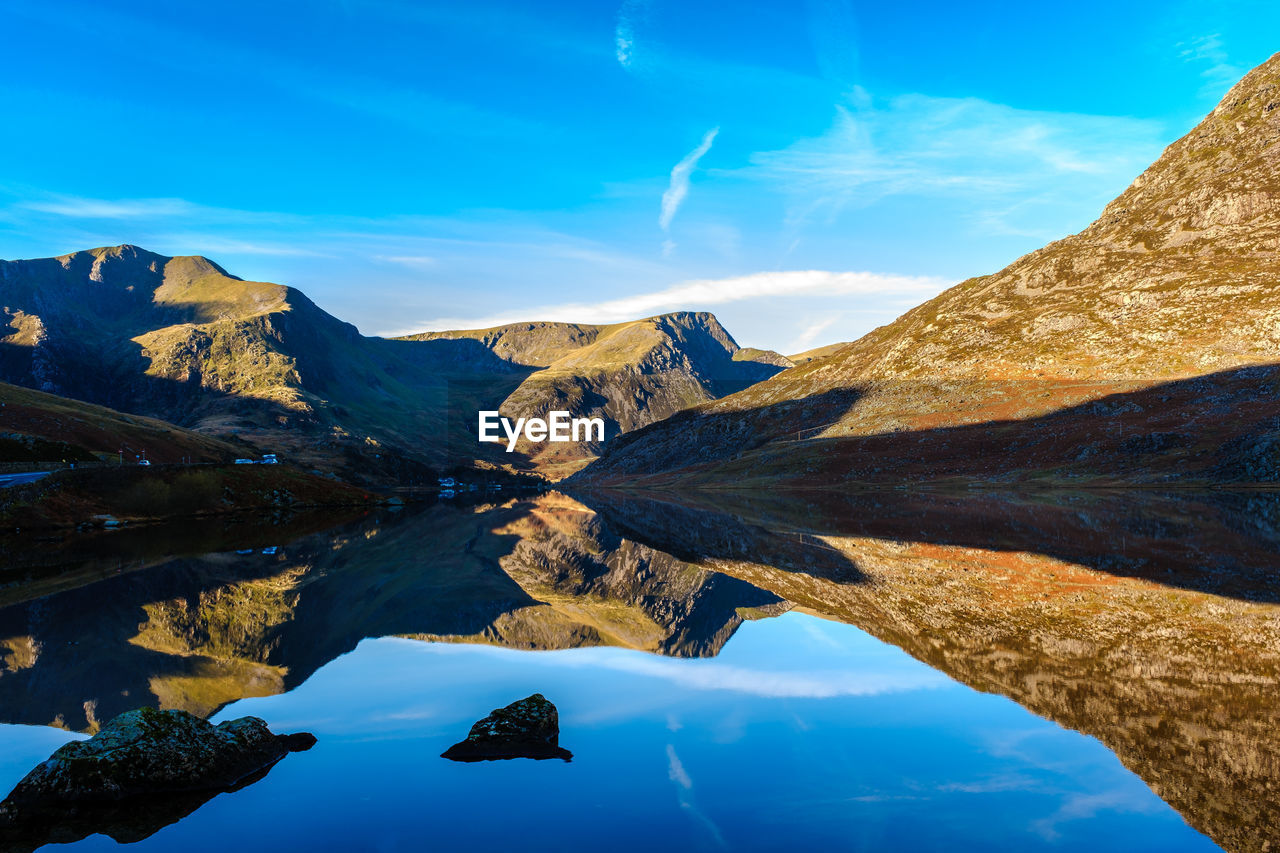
(198, 632)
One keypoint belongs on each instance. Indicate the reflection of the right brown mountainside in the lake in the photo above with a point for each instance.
(1150, 623)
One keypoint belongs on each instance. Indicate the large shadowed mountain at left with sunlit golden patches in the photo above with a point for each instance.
(181, 340)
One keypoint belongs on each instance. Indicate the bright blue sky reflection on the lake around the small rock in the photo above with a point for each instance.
(801, 733)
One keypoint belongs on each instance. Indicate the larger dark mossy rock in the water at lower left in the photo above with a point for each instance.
(144, 770)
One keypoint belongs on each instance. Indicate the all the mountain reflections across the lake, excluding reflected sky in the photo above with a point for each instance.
(1148, 622)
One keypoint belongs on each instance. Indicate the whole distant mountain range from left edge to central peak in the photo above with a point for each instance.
(182, 340)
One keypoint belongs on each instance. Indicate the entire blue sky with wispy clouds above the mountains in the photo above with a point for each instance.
(807, 171)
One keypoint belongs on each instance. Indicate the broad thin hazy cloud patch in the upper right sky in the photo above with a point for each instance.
(990, 157)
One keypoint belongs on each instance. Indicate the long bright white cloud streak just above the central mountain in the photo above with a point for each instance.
(707, 294)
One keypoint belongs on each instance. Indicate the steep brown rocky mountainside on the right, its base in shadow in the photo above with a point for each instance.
(1142, 349)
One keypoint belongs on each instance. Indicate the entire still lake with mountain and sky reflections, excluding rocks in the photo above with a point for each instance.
(868, 672)
